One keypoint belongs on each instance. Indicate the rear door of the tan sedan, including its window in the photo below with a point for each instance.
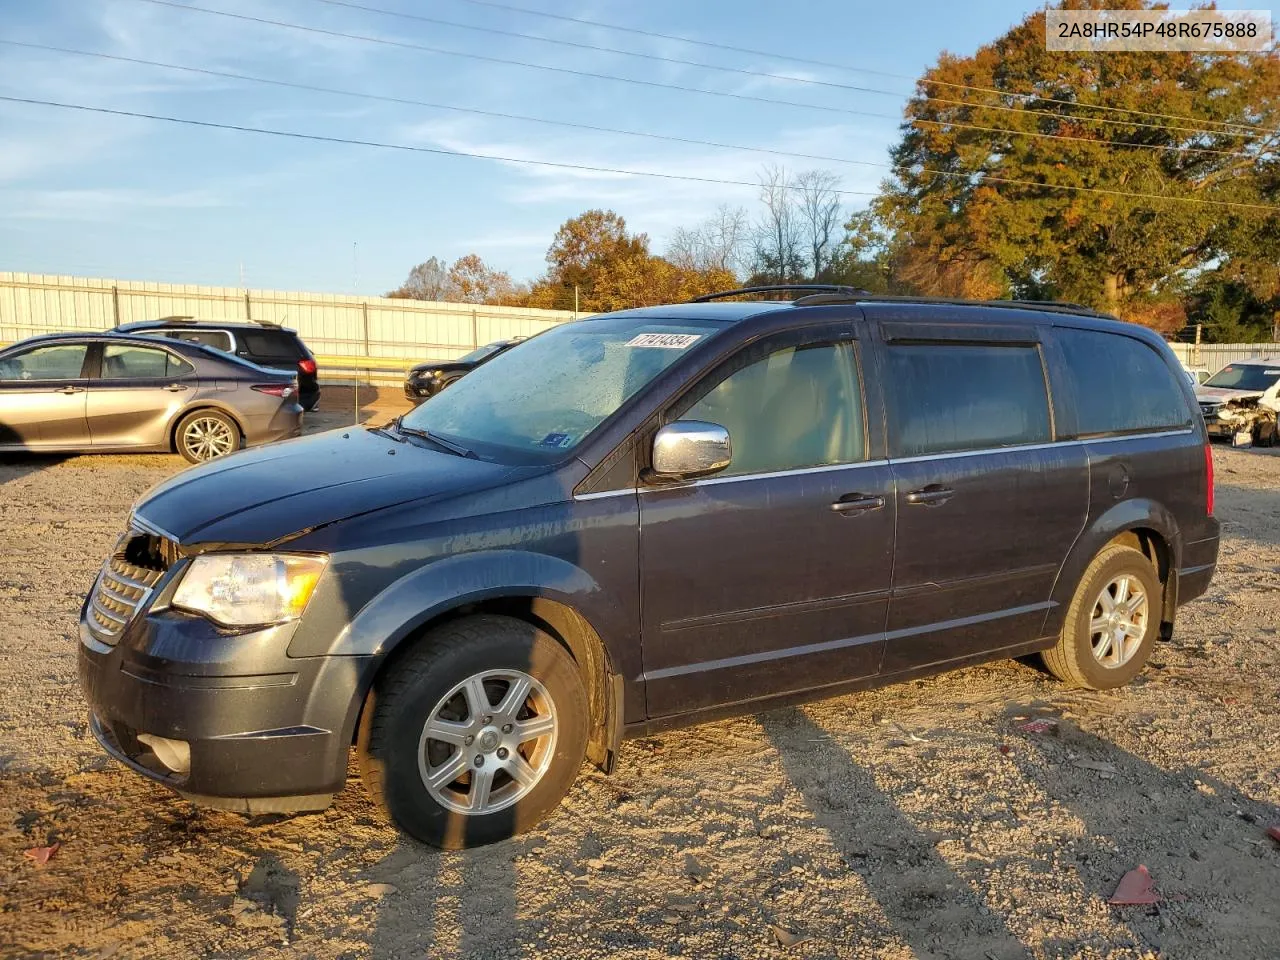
(138, 395)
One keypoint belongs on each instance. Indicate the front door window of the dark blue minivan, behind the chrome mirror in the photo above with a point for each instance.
(796, 408)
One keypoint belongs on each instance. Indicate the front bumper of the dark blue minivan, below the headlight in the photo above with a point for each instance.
(266, 733)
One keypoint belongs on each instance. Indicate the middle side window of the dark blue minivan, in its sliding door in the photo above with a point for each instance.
(945, 397)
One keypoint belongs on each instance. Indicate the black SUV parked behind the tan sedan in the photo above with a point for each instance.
(267, 345)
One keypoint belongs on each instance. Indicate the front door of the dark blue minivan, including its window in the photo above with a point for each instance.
(774, 575)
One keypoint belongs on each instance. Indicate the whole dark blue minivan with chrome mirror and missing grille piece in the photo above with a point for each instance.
(646, 520)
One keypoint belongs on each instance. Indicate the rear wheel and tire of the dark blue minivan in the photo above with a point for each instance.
(1113, 623)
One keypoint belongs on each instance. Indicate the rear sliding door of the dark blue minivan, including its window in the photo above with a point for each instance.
(988, 505)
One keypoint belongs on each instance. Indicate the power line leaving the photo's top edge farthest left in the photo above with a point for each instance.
(659, 85)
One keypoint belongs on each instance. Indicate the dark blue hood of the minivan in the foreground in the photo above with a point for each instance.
(266, 496)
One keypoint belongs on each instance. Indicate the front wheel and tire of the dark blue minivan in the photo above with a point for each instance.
(477, 734)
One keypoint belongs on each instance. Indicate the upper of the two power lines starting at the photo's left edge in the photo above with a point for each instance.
(410, 102)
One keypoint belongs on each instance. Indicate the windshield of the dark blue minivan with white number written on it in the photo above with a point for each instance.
(542, 397)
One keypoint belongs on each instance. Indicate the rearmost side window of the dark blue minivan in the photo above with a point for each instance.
(1121, 385)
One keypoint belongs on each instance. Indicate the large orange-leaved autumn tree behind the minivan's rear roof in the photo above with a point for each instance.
(982, 200)
